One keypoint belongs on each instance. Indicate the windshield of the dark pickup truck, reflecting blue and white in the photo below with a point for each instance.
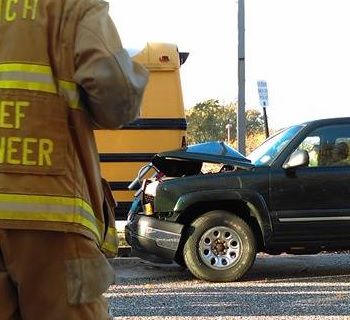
(271, 148)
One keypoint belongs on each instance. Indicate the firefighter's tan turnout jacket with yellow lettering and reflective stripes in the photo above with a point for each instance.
(63, 73)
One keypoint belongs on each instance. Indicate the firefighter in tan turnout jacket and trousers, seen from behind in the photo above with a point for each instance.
(63, 73)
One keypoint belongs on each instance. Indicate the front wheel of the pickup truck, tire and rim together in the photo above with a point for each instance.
(220, 247)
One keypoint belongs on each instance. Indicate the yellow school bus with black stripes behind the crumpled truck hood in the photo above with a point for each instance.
(160, 126)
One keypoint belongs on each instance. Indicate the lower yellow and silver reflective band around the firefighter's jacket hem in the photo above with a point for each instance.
(49, 208)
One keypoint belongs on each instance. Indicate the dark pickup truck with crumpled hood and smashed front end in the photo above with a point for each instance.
(291, 194)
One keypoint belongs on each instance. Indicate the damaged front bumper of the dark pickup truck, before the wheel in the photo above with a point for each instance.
(151, 238)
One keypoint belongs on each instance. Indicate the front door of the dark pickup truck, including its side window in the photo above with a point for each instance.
(313, 202)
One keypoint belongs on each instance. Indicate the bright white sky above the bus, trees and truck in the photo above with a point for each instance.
(301, 48)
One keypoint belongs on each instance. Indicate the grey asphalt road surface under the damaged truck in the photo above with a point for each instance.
(277, 287)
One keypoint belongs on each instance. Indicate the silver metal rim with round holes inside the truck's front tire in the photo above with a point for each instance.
(220, 248)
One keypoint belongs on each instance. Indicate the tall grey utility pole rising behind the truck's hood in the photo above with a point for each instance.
(241, 121)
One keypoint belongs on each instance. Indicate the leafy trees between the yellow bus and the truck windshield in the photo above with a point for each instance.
(207, 121)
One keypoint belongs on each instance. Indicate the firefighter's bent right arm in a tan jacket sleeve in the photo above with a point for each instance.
(112, 84)
